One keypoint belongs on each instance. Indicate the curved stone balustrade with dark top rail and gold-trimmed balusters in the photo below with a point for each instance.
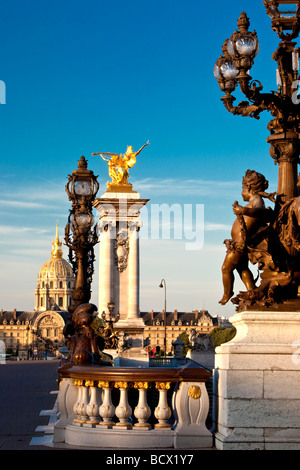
(110, 407)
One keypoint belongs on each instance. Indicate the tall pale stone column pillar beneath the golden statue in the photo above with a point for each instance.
(119, 273)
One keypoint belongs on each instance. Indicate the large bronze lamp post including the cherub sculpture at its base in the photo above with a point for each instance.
(275, 243)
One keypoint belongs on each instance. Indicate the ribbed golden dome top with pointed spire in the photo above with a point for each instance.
(56, 266)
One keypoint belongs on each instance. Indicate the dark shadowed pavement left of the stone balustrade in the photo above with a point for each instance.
(28, 395)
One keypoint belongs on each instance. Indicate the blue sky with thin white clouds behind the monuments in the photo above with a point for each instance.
(84, 77)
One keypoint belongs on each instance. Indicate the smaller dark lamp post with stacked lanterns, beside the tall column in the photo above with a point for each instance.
(80, 236)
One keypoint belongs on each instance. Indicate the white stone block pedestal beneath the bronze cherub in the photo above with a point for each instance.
(258, 375)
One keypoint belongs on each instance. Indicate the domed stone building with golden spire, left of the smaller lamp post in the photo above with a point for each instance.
(31, 333)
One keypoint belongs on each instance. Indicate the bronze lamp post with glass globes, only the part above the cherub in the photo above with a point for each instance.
(232, 69)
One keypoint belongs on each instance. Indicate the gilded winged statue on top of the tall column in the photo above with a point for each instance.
(118, 165)
